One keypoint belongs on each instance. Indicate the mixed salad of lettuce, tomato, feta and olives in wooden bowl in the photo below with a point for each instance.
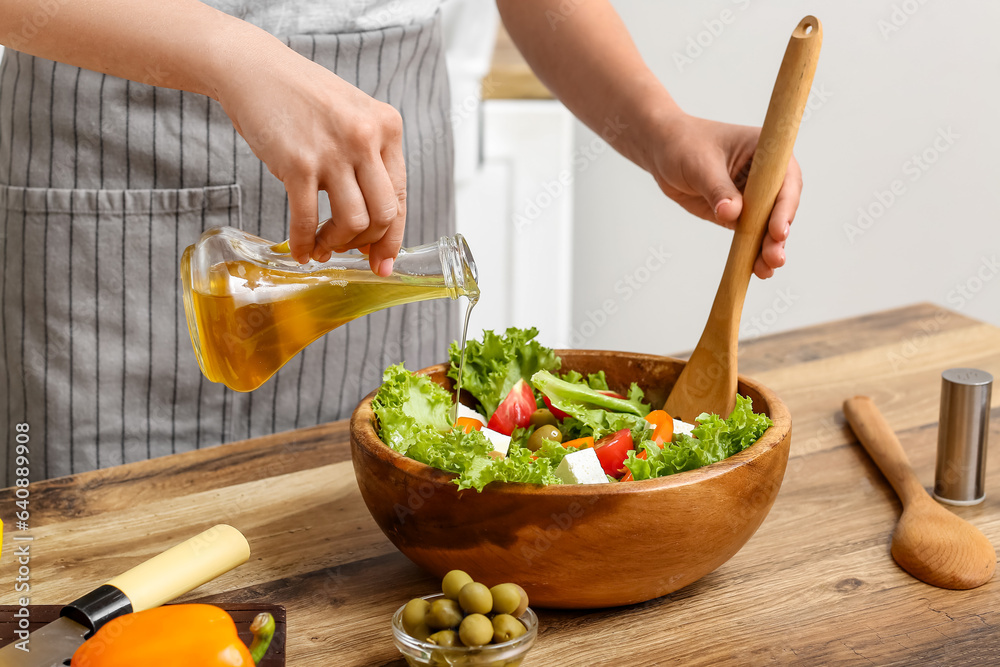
(538, 425)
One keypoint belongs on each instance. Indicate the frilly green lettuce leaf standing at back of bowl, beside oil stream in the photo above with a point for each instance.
(494, 364)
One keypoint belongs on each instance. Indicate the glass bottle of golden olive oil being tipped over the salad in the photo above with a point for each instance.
(248, 316)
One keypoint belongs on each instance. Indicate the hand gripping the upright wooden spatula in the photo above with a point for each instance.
(703, 165)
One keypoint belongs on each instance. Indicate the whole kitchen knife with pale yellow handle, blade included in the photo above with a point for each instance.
(162, 578)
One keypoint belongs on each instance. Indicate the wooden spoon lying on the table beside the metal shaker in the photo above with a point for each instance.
(929, 542)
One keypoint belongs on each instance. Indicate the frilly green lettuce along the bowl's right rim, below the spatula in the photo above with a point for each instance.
(712, 440)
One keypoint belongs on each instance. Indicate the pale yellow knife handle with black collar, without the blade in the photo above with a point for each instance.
(162, 578)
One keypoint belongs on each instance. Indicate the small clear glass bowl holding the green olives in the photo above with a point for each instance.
(507, 654)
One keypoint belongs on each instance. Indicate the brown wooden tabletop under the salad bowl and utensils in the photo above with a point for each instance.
(815, 586)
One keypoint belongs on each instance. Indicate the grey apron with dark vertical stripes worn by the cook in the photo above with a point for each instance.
(104, 182)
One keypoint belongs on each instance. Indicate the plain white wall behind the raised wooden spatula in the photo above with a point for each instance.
(887, 98)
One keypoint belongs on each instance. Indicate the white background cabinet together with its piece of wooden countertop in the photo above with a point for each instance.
(513, 179)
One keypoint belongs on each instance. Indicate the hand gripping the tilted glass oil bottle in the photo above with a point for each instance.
(315, 131)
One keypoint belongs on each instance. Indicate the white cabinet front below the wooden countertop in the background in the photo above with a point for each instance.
(516, 210)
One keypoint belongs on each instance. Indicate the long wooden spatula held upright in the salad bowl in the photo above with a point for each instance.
(708, 381)
